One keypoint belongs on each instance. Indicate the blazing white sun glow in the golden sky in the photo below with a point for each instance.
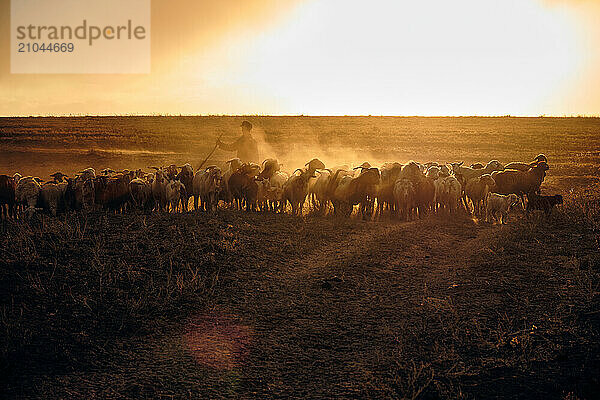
(466, 57)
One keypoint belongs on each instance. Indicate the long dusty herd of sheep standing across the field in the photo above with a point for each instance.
(407, 191)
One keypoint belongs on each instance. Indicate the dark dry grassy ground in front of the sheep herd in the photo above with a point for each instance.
(261, 305)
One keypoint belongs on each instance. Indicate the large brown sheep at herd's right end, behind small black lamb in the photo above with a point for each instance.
(520, 182)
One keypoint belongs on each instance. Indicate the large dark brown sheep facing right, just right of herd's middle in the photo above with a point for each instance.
(351, 191)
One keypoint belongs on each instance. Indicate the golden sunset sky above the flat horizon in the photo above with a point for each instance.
(340, 57)
